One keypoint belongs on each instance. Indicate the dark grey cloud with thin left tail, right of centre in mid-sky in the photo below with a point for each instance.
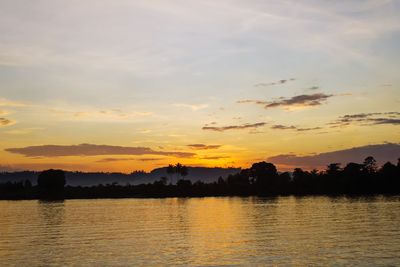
(299, 101)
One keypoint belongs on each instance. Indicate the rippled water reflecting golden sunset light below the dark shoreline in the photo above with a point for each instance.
(201, 231)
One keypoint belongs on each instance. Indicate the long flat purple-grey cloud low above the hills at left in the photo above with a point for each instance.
(91, 150)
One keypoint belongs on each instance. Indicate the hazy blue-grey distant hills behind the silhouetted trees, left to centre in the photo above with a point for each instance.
(94, 178)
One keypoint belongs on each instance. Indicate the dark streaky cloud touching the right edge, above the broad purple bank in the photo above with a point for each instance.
(375, 118)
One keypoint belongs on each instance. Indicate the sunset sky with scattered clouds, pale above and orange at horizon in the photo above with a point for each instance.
(101, 85)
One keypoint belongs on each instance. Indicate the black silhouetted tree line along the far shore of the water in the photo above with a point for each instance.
(262, 179)
